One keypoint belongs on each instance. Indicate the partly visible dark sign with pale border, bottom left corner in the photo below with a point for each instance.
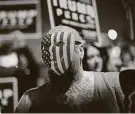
(8, 94)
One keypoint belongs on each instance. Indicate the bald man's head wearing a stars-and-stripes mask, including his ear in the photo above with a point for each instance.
(60, 47)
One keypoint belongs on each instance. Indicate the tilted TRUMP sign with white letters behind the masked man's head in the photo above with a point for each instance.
(78, 14)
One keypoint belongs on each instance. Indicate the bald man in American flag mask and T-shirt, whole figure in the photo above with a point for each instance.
(71, 89)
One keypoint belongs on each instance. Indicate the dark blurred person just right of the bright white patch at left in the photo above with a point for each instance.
(28, 69)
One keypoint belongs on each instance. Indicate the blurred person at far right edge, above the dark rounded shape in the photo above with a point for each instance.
(127, 58)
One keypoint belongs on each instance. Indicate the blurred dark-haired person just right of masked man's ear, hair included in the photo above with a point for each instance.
(92, 59)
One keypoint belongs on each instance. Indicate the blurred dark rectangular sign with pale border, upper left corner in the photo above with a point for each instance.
(22, 16)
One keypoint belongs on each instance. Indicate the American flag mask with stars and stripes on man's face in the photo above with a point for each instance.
(57, 51)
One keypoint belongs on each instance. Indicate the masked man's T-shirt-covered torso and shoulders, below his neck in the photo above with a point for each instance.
(102, 96)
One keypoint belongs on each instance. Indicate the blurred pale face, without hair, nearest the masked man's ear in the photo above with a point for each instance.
(94, 60)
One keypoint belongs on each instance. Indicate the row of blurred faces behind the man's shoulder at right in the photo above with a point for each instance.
(114, 59)
